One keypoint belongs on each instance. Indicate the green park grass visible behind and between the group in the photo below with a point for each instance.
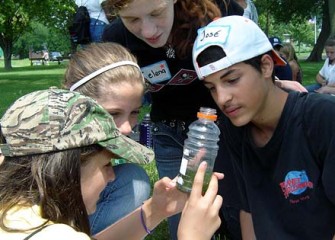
(24, 78)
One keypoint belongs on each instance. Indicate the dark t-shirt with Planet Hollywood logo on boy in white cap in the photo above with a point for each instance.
(288, 185)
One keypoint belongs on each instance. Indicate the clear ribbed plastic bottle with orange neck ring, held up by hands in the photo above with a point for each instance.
(203, 134)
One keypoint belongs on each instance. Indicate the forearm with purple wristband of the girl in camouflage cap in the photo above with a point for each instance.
(130, 227)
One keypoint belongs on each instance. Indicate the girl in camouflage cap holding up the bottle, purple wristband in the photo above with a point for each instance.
(58, 146)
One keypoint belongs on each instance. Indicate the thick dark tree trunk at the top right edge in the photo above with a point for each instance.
(327, 15)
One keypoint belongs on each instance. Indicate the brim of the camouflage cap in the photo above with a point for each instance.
(128, 149)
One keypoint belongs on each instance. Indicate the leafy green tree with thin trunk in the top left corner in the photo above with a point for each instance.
(15, 18)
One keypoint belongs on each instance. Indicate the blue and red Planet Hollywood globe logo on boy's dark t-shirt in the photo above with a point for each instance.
(296, 182)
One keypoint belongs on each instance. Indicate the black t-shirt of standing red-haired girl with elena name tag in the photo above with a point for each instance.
(176, 91)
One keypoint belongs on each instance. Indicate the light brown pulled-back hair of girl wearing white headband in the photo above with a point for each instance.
(96, 56)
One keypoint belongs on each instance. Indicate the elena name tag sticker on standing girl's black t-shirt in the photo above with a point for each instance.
(157, 72)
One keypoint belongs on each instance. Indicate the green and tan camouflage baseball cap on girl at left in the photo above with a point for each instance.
(56, 119)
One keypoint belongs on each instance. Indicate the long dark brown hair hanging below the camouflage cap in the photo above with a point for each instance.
(49, 180)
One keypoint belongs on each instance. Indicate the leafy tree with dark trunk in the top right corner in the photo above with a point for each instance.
(296, 13)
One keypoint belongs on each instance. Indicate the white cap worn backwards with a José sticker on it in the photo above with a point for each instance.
(240, 38)
